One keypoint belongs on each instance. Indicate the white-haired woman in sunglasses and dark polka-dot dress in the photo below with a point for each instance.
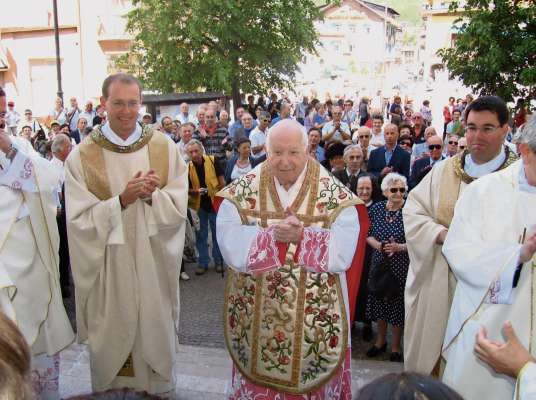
(389, 265)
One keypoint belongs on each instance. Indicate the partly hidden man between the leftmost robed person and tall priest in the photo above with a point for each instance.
(61, 148)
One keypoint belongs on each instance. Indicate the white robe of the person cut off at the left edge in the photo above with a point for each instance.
(29, 270)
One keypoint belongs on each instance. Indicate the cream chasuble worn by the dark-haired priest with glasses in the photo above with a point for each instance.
(430, 284)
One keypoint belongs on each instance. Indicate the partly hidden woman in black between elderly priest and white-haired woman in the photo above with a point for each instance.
(367, 191)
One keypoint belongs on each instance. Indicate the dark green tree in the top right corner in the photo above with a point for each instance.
(495, 48)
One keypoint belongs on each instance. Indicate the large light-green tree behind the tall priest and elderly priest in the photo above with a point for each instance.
(229, 45)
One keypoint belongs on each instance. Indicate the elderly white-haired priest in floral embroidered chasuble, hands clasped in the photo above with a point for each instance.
(290, 232)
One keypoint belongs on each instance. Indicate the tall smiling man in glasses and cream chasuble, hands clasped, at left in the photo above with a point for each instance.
(126, 190)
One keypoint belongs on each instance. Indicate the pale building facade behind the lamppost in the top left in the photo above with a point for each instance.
(92, 34)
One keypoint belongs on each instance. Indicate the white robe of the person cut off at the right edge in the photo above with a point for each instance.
(482, 249)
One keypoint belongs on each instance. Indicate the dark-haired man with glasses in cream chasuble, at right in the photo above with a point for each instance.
(428, 214)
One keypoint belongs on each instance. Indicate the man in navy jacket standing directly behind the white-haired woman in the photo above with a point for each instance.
(389, 158)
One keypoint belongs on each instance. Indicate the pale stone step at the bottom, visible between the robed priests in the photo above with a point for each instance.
(201, 372)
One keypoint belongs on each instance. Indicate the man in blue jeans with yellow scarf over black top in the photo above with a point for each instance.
(206, 177)
